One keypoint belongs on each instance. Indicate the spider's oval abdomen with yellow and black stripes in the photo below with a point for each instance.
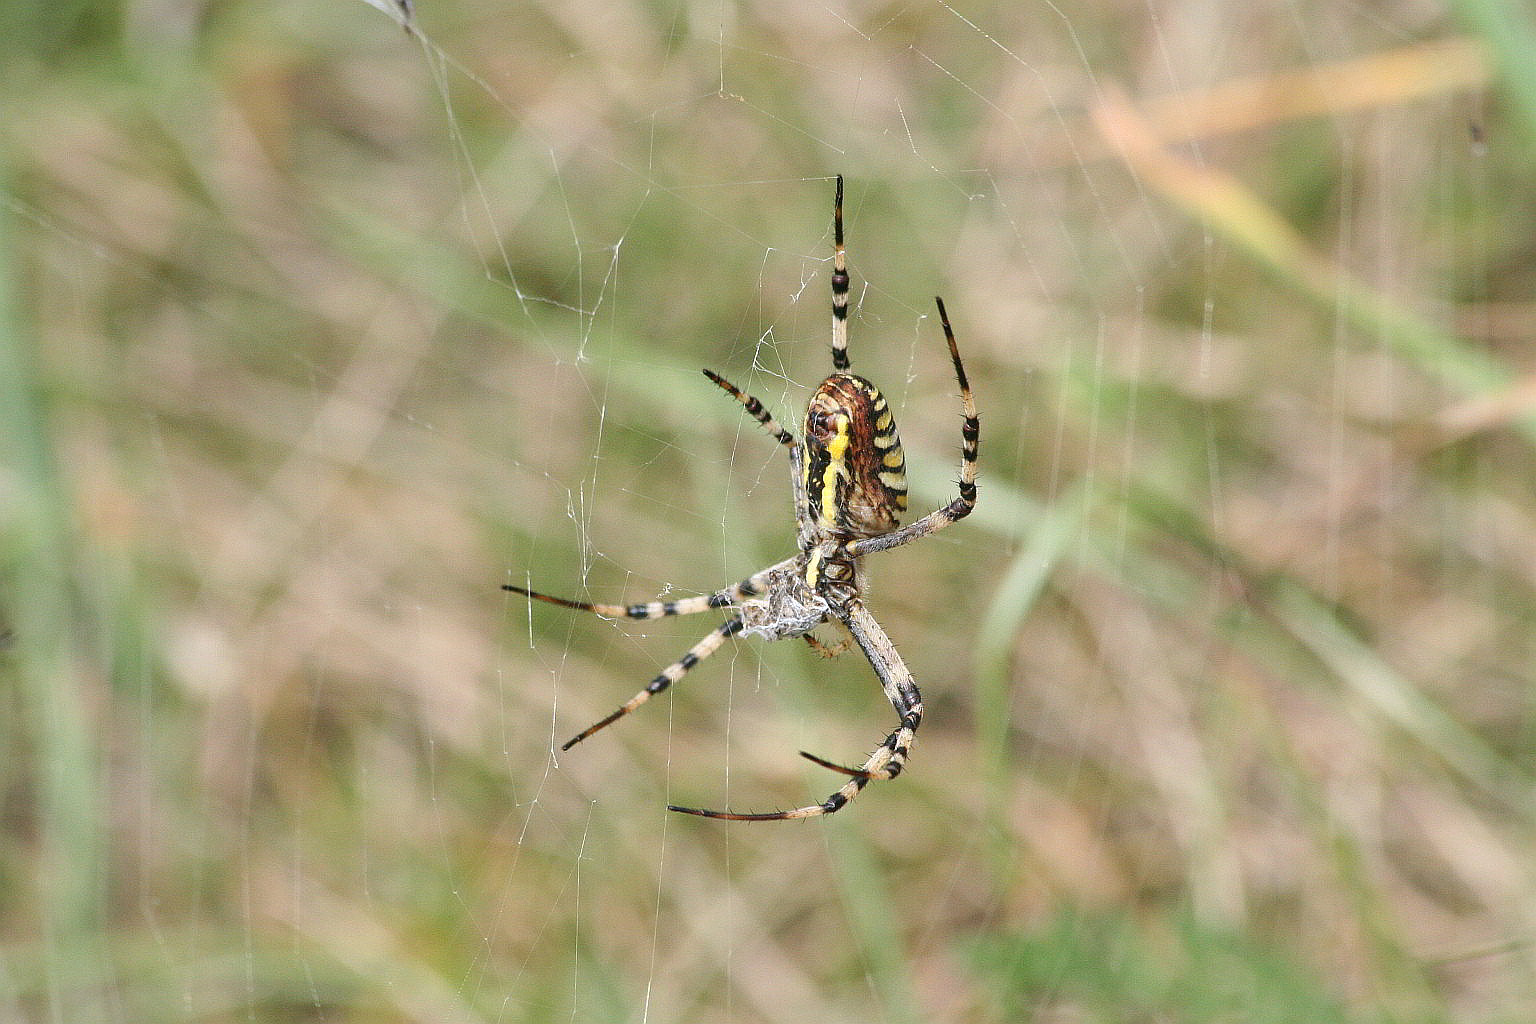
(855, 469)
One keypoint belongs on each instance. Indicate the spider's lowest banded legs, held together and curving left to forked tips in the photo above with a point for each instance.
(890, 758)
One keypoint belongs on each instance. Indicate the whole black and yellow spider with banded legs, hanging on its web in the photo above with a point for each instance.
(850, 487)
